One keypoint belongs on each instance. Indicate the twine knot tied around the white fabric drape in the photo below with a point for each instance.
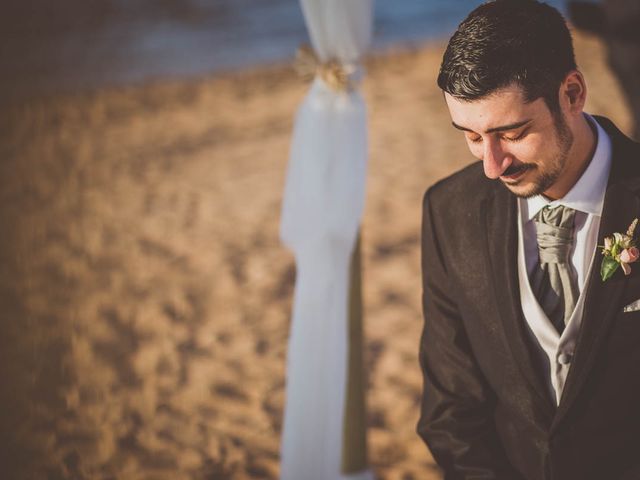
(337, 75)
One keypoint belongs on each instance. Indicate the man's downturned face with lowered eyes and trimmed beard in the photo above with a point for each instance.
(522, 144)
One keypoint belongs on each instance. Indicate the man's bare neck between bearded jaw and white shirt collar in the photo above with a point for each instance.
(579, 157)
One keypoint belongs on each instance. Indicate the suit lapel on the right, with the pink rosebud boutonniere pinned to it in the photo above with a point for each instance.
(602, 300)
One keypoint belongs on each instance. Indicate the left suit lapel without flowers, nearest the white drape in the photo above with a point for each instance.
(501, 216)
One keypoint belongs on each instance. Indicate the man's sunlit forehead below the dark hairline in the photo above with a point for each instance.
(503, 107)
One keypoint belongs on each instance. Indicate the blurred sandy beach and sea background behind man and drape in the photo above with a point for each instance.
(145, 295)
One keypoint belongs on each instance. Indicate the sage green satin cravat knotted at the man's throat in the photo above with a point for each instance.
(555, 282)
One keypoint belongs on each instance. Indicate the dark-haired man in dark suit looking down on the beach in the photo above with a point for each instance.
(531, 361)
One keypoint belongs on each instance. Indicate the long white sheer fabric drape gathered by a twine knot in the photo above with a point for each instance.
(322, 208)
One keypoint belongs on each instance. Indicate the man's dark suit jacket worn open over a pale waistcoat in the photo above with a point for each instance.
(486, 413)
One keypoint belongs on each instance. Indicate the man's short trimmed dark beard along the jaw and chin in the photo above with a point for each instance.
(545, 178)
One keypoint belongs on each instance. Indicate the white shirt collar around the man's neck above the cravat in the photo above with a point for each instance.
(587, 195)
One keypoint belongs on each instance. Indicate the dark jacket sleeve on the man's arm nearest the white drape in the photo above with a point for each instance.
(456, 420)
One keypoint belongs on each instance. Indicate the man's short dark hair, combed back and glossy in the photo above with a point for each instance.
(509, 41)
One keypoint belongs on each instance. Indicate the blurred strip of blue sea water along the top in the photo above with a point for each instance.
(73, 45)
